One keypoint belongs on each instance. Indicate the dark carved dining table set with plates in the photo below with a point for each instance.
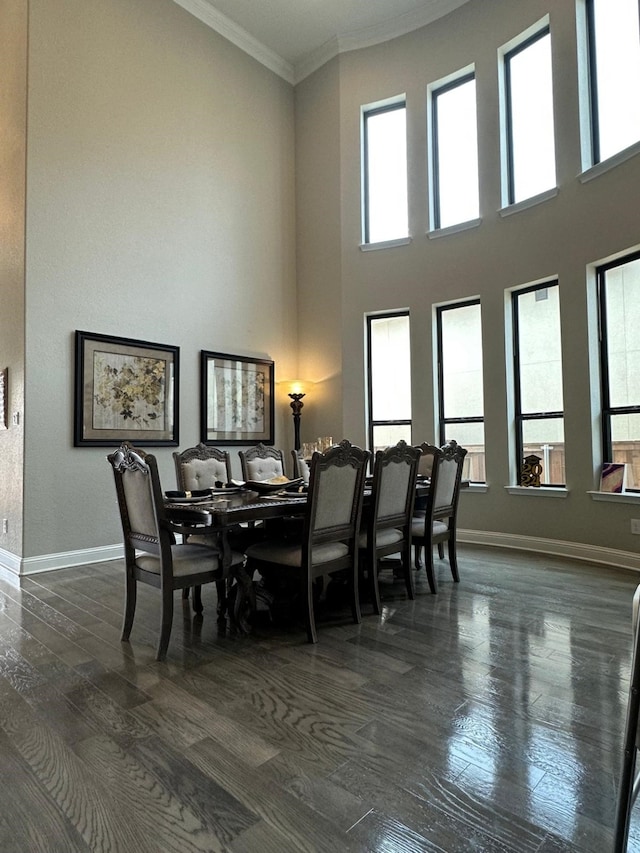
(225, 510)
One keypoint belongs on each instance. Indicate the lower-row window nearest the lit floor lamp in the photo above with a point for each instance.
(389, 368)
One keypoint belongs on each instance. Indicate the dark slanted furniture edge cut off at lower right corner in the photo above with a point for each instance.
(630, 777)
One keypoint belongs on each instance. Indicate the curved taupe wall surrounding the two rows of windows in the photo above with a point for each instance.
(586, 222)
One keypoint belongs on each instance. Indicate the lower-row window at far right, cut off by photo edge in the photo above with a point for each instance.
(619, 296)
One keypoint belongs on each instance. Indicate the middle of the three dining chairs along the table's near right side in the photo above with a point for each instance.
(387, 522)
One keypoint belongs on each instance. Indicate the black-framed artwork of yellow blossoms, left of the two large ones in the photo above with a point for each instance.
(125, 390)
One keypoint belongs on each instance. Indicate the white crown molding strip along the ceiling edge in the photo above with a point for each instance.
(376, 34)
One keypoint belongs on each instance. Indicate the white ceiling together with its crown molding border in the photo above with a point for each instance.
(294, 37)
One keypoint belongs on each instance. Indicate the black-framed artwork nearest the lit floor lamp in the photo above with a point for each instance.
(236, 399)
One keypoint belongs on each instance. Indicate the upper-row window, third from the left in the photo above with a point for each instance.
(531, 167)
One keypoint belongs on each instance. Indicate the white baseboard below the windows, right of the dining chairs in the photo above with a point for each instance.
(553, 547)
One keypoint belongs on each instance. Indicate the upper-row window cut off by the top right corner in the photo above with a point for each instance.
(614, 65)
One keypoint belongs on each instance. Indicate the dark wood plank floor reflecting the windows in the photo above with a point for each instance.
(486, 718)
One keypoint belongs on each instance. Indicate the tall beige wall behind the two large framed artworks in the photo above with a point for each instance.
(161, 207)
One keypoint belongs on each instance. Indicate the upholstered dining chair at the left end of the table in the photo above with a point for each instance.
(150, 553)
